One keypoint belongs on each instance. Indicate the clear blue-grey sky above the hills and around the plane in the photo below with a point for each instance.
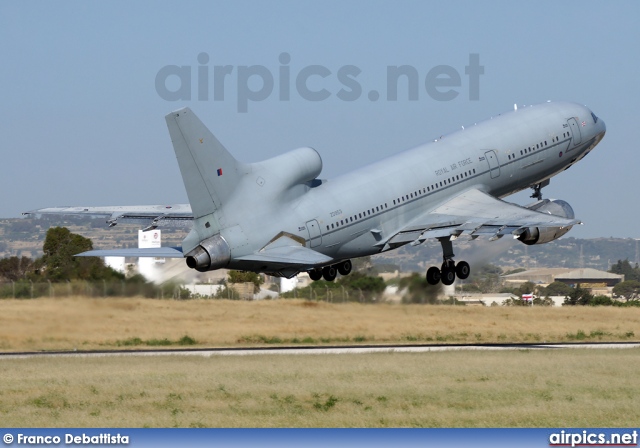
(83, 123)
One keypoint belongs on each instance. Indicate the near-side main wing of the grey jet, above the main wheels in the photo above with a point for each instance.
(473, 213)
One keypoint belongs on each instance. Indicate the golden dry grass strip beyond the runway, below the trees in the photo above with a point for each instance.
(82, 324)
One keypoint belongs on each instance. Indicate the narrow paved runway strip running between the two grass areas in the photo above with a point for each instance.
(321, 350)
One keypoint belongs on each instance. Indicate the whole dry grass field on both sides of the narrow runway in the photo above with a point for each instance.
(516, 388)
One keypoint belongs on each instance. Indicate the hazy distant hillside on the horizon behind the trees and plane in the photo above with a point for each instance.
(24, 237)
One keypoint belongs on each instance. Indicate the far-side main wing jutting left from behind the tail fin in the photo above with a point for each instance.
(150, 216)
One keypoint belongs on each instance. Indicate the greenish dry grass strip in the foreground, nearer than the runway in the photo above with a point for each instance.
(551, 388)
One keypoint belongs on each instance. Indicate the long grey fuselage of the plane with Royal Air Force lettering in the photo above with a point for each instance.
(349, 216)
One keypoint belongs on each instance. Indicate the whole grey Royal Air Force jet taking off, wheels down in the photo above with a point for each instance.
(278, 217)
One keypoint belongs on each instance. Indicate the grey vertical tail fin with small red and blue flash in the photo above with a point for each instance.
(209, 171)
